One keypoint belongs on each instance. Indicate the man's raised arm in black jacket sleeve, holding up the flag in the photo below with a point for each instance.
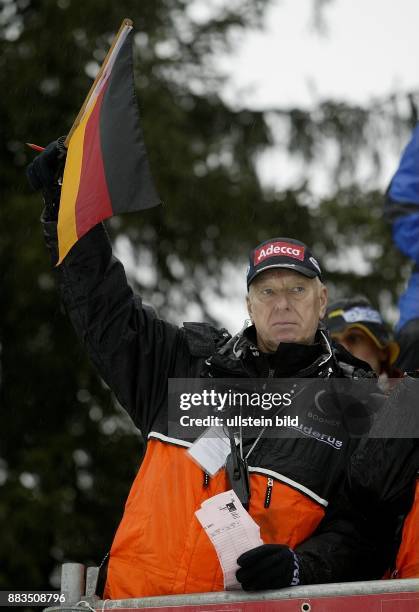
(133, 350)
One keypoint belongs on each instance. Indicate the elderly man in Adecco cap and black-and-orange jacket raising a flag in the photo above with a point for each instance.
(160, 547)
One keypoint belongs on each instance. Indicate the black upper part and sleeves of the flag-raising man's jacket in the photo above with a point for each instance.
(135, 352)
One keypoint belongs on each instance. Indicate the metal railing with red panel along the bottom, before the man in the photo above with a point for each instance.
(79, 590)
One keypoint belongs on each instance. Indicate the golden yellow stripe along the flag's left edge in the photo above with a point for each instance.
(67, 231)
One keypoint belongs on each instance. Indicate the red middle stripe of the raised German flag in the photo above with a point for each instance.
(93, 203)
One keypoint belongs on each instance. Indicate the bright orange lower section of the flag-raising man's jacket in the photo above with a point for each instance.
(160, 547)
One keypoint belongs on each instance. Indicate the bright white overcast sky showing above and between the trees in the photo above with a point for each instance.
(369, 50)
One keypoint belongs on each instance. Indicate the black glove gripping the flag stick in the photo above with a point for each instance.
(45, 172)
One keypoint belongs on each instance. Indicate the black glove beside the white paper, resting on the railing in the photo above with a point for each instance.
(270, 566)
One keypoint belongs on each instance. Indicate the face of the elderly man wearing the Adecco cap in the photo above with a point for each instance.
(285, 306)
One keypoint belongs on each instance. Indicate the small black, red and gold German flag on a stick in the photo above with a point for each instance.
(106, 169)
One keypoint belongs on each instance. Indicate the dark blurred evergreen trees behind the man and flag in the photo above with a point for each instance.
(67, 452)
